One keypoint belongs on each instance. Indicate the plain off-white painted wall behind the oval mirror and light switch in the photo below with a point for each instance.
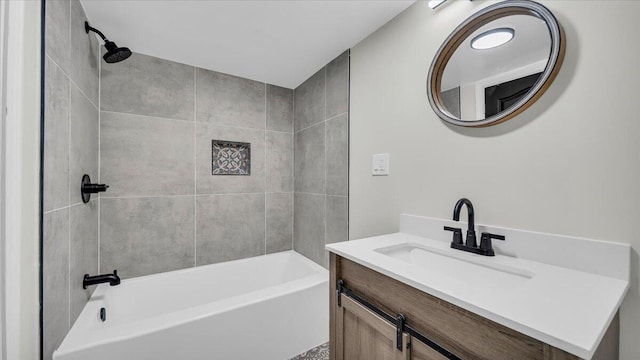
(568, 165)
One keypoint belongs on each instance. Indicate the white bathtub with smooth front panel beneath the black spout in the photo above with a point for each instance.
(268, 307)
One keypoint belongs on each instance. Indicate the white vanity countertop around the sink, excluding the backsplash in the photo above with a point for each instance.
(566, 308)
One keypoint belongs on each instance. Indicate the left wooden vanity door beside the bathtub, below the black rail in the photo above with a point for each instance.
(363, 335)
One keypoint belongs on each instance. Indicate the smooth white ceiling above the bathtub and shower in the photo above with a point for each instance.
(281, 42)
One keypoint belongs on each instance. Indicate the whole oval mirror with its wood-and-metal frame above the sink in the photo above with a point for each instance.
(496, 64)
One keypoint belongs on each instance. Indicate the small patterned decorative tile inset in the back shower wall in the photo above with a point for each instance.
(230, 158)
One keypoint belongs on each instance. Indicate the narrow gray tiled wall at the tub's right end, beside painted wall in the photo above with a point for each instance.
(321, 151)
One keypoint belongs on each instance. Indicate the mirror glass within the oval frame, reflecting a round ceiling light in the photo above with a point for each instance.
(481, 82)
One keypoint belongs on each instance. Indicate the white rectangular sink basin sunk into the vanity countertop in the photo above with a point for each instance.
(474, 272)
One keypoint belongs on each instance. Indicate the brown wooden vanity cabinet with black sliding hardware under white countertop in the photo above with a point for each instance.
(357, 333)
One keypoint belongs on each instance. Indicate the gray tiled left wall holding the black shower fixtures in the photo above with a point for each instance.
(71, 150)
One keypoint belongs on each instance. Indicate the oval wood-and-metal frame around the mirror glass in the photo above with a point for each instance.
(466, 29)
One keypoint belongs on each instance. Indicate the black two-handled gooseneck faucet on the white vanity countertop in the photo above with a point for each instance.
(470, 243)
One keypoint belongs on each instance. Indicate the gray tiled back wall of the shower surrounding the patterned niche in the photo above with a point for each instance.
(164, 209)
